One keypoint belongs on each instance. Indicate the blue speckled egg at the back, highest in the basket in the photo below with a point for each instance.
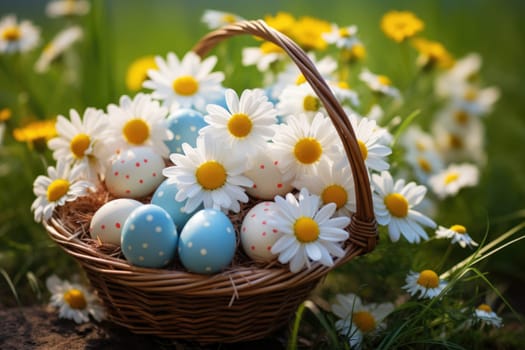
(185, 124)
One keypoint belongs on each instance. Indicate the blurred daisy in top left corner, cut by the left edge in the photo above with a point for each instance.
(17, 37)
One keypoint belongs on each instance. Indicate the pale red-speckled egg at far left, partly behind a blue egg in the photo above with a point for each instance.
(106, 224)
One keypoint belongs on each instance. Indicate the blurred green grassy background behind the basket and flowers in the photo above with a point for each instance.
(127, 30)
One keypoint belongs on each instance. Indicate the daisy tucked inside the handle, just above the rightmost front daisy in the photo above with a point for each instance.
(333, 183)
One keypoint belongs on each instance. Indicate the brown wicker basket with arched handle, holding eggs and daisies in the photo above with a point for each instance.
(245, 302)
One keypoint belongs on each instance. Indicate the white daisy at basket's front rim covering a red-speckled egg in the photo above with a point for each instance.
(309, 232)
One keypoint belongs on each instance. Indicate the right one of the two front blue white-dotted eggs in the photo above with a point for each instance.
(207, 242)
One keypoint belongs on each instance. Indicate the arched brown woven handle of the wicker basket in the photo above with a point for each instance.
(363, 225)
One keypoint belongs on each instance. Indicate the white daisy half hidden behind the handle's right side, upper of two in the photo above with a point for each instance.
(369, 138)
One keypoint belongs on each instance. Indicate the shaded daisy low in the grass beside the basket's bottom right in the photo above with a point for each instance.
(353, 314)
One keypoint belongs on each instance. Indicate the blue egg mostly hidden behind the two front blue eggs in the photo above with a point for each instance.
(164, 197)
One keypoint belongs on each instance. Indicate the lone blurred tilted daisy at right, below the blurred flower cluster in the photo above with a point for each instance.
(457, 176)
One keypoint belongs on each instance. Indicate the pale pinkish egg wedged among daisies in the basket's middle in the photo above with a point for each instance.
(267, 178)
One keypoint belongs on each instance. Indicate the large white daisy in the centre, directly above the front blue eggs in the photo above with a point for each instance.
(210, 175)
